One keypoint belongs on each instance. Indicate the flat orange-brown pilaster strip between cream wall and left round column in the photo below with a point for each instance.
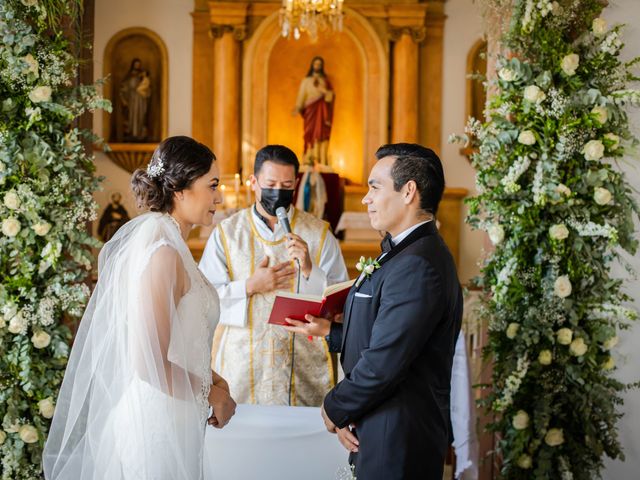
(202, 85)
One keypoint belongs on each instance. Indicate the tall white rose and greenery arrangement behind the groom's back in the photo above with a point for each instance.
(559, 213)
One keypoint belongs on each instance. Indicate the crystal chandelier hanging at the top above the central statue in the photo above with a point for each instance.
(310, 16)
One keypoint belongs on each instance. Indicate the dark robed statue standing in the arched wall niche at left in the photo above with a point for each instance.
(135, 92)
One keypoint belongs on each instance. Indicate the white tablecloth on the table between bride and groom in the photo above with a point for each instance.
(271, 442)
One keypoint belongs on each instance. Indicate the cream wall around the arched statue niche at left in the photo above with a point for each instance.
(171, 20)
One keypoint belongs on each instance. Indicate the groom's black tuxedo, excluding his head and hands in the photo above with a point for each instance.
(397, 342)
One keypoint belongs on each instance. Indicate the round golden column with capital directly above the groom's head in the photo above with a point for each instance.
(406, 28)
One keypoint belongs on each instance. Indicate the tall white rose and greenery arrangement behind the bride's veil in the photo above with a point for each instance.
(46, 185)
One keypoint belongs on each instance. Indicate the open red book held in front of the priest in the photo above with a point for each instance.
(297, 305)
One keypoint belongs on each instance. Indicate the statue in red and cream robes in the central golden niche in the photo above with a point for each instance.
(315, 104)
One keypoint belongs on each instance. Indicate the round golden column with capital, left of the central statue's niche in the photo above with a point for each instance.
(228, 29)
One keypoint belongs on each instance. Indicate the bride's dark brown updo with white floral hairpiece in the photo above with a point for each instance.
(174, 166)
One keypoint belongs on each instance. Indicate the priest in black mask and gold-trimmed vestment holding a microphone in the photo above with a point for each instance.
(248, 258)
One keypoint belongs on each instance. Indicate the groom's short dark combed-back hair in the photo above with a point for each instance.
(420, 164)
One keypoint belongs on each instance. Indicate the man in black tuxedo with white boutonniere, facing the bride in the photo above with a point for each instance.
(400, 328)
